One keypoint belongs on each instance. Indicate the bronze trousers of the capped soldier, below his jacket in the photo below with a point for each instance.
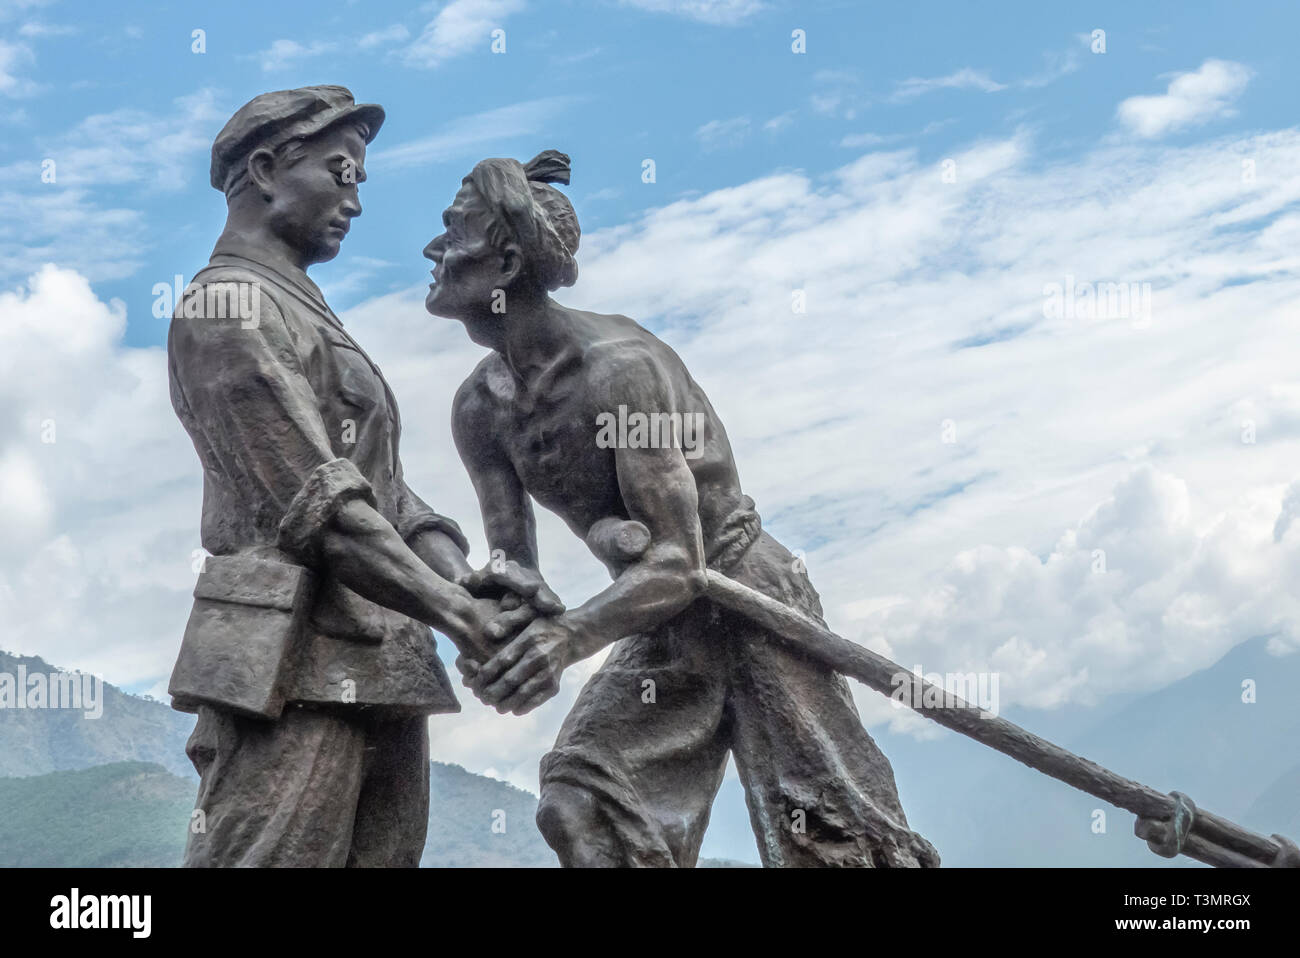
(314, 790)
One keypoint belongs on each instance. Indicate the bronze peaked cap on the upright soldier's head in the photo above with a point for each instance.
(275, 119)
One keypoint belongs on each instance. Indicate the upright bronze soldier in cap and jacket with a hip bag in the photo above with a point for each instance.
(309, 656)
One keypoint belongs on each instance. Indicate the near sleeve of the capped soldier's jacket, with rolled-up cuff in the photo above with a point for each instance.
(250, 404)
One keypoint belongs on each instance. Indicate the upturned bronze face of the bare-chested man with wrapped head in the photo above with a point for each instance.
(469, 275)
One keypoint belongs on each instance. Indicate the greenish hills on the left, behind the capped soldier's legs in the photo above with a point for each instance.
(119, 791)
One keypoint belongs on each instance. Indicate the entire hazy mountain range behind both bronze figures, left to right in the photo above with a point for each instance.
(978, 808)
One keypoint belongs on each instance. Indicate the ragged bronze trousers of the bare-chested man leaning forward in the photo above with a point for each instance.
(642, 756)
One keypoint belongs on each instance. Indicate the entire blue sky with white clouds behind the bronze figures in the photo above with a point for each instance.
(948, 450)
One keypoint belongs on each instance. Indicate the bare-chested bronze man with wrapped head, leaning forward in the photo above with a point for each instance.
(642, 756)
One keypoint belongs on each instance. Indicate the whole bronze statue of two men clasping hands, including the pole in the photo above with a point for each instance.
(309, 656)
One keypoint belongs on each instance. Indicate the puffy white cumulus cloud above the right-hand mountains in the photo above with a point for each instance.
(1139, 592)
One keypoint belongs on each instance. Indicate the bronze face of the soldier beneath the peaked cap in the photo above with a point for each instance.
(314, 196)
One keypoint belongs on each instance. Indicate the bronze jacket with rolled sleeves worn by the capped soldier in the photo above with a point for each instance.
(292, 419)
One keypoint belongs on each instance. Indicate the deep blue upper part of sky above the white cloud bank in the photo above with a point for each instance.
(609, 83)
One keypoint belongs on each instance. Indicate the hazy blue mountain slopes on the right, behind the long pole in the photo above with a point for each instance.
(1195, 736)
